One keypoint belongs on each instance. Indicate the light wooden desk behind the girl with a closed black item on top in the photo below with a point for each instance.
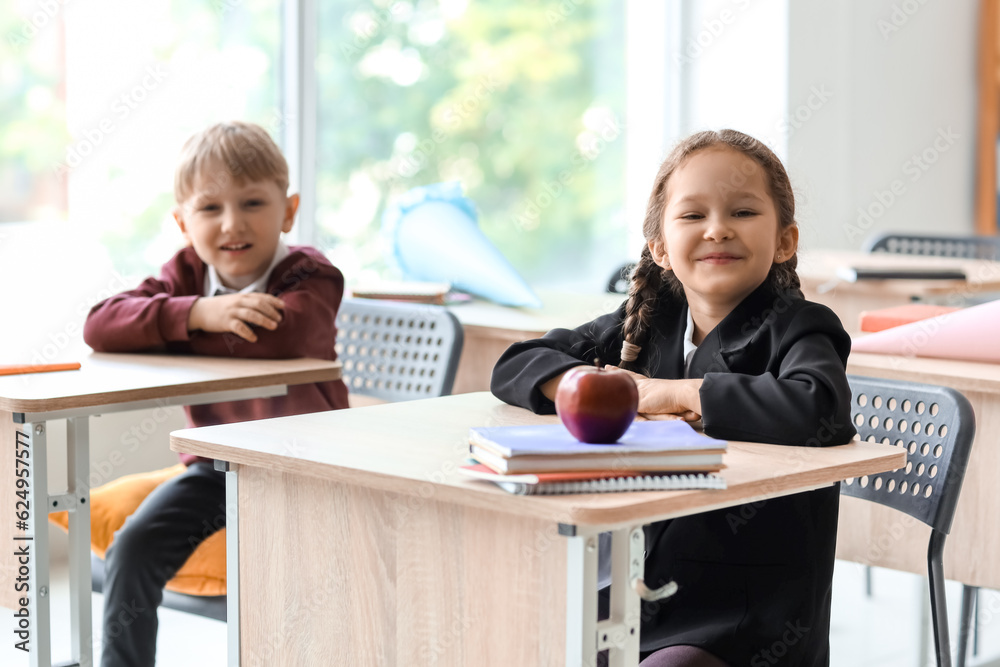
(818, 271)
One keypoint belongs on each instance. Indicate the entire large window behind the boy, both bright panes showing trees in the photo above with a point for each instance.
(522, 102)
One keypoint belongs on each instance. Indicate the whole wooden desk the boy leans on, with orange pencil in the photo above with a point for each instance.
(105, 383)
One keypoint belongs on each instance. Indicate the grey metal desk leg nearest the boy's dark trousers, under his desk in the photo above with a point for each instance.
(78, 491)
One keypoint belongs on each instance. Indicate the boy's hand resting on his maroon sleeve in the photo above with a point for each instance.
(235, 313)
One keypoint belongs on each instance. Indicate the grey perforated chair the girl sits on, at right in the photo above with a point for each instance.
(936, 425)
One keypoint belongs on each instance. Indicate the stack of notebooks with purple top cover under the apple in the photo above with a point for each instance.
(548, 459)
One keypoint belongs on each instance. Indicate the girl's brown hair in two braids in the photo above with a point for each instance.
(649, 279)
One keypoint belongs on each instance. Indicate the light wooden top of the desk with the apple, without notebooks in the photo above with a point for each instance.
(416, 447)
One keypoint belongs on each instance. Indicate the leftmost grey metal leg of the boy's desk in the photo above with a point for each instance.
(38, 577)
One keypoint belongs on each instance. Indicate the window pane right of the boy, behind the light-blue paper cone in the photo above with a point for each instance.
(522, 102)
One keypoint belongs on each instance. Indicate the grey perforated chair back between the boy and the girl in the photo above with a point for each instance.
(398, 351)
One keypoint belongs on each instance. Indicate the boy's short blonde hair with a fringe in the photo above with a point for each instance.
(242, 152)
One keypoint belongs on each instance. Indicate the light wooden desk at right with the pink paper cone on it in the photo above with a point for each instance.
(877, 535)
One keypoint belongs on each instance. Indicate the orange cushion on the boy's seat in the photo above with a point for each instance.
(204, 573)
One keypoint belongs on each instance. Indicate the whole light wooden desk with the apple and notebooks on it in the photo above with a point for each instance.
(352, 540)
